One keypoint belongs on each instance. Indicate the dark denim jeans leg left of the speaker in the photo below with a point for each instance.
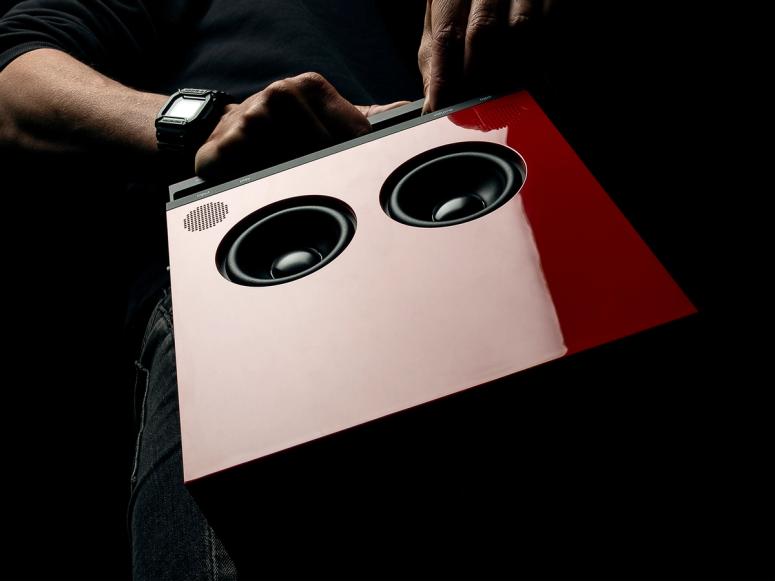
(170, 537)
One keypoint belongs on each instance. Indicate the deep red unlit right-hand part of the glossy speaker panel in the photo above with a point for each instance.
(604, 280)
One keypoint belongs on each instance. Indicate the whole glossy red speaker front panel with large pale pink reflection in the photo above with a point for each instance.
(401, 314)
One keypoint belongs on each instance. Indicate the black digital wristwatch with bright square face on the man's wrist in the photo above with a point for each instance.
(188, 117)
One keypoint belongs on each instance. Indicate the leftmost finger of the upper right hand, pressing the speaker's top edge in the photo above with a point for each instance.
(449, 20)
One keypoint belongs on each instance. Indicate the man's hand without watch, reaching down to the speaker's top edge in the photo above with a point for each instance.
(471, 46)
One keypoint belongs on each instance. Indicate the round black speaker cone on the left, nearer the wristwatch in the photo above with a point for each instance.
(285, 241)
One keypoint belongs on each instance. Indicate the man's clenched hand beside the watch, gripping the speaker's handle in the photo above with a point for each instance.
(288, 119)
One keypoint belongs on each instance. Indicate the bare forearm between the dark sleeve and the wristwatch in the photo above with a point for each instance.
(50, 102)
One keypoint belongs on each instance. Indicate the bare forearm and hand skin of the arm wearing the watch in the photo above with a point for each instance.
(50, 102)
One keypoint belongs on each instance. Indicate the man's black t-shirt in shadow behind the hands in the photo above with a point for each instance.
(364, 47)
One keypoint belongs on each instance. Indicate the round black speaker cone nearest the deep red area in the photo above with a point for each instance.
(452, 184)
